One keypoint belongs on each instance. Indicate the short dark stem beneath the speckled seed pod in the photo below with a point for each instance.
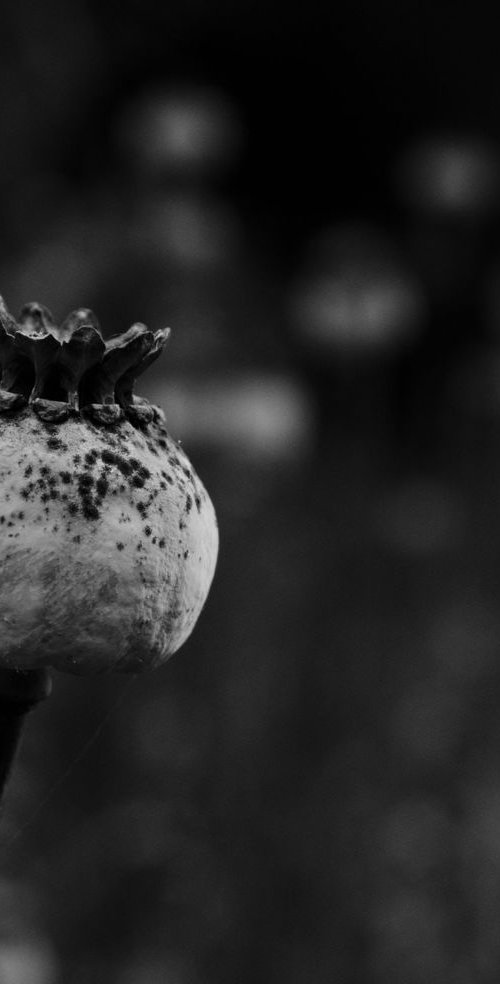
(20, 691)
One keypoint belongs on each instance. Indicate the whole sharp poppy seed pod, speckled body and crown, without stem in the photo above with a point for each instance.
(108, 538)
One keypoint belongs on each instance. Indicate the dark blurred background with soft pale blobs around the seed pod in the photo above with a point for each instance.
(310, 791)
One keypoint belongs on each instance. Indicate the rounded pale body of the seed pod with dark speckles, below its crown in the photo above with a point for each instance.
(108, 544)
